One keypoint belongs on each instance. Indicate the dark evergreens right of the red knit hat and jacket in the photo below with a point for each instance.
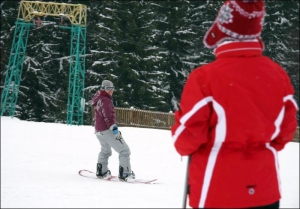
(281, 37)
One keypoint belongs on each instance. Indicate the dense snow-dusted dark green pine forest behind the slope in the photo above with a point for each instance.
(146, 48)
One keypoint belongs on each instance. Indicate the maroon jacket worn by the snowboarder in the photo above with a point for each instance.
(105, 115)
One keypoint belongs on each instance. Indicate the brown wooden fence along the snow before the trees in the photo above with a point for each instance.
(150, 119)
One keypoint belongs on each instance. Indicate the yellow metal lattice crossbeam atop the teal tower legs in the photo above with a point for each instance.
(76, 13)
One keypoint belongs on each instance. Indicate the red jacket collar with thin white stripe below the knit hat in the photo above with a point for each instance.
(239, 49)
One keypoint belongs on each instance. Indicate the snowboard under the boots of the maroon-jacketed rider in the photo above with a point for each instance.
(91, 174)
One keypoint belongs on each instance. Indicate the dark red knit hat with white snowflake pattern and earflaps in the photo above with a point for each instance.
(236, 20)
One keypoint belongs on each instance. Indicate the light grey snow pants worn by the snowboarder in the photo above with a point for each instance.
(107, 141)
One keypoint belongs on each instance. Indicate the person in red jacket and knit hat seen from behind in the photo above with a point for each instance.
(235, 114)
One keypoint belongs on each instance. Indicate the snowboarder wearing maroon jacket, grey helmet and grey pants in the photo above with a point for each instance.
(108, 134)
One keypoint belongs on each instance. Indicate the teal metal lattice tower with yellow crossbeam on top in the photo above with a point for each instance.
(76, 14)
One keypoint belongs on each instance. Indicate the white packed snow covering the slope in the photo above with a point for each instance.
(40, 164)
